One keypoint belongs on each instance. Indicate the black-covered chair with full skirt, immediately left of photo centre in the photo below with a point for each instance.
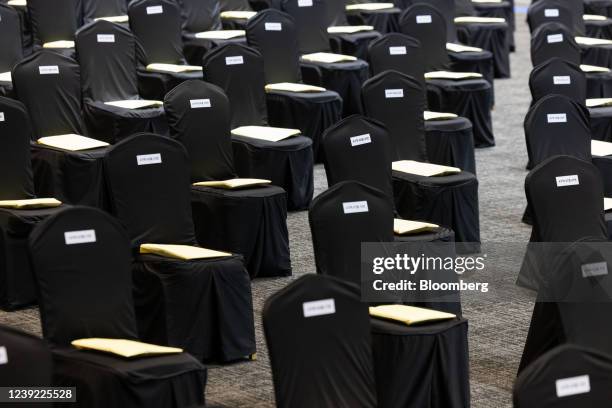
(250, 221)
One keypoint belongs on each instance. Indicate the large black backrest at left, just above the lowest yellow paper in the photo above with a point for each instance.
(82, 264)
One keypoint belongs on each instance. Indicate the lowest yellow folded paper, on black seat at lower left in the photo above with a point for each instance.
(124, 348)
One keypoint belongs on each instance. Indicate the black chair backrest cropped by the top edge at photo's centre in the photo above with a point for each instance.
(310, 18)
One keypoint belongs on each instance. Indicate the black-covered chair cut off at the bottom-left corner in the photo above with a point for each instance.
(26, 362)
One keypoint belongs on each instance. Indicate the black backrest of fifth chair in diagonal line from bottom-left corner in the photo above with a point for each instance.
(239, 71)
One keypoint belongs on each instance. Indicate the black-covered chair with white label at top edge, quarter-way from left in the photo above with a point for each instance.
(157, 26)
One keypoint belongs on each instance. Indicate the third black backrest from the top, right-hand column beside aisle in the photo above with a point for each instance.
(557, 76)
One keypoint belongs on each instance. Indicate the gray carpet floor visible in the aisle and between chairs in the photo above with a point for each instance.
(497, 324)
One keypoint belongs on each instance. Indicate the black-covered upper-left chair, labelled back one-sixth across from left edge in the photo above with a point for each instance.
(107, 57)
